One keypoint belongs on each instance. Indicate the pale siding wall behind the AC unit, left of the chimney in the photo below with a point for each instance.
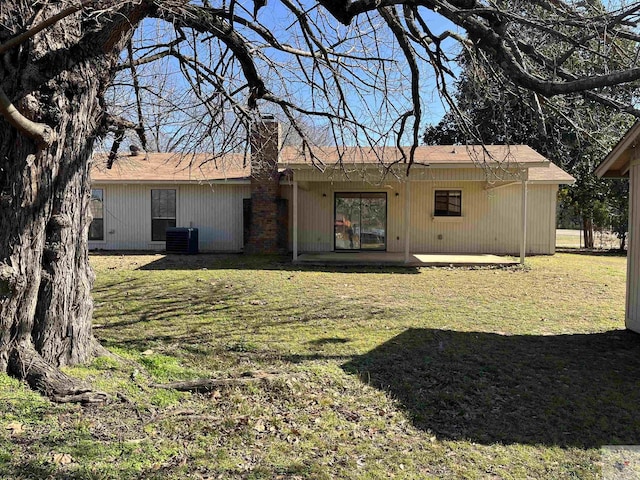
(216, 210)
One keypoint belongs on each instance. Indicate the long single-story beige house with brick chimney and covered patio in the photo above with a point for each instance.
(456, 199)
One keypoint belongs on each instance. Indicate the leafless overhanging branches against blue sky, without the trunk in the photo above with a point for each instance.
(363, 69)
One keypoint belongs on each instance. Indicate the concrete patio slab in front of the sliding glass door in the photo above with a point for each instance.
(398, 259)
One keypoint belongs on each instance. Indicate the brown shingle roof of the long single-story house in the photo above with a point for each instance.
(230, 168)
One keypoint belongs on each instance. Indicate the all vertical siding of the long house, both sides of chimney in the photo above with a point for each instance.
(490, 223)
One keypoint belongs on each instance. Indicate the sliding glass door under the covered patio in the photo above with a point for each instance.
(360, 221)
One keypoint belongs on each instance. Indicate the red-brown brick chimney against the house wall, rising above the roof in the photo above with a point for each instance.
(266, 217)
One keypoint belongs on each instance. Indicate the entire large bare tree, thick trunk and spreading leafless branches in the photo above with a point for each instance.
(357, 68)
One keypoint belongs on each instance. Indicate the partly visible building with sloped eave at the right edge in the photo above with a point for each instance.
(624, 162)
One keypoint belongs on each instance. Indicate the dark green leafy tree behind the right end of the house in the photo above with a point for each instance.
(571, 131)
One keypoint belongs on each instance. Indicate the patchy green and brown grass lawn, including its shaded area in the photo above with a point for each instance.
(378, 373)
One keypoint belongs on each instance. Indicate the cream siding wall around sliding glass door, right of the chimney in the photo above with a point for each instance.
(491, 220)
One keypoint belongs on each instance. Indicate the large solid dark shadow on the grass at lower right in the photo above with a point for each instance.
(566, 390)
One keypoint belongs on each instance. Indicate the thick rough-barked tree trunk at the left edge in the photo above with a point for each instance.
(45, 277)
